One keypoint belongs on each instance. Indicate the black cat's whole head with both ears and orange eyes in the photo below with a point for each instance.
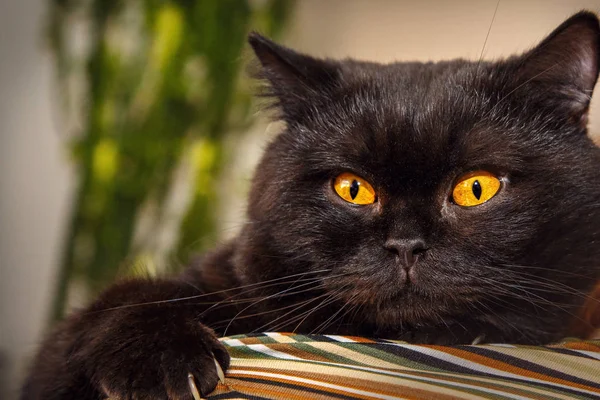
(406, 135)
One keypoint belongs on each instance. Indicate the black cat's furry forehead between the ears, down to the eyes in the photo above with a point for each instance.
(409, 119)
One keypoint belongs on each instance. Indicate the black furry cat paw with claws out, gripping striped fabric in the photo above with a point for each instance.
(184, 365)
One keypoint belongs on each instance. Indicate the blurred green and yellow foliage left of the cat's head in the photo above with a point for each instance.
(149, 88)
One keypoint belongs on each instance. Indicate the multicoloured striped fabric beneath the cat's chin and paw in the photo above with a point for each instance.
(288, 366)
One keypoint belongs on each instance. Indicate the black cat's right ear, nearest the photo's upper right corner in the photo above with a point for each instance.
(566, 65)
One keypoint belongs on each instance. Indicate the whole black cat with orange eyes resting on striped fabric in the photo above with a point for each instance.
(434, 202)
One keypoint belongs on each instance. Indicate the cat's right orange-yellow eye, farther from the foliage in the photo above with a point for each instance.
(475, 188)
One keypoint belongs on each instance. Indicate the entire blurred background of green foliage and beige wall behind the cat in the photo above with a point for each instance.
(128, 133)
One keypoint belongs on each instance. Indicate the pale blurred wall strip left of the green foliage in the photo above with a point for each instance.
(34, 185)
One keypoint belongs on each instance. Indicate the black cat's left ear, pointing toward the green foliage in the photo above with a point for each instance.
(296, 80)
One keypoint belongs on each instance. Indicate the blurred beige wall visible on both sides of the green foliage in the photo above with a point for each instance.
(35, 180)
